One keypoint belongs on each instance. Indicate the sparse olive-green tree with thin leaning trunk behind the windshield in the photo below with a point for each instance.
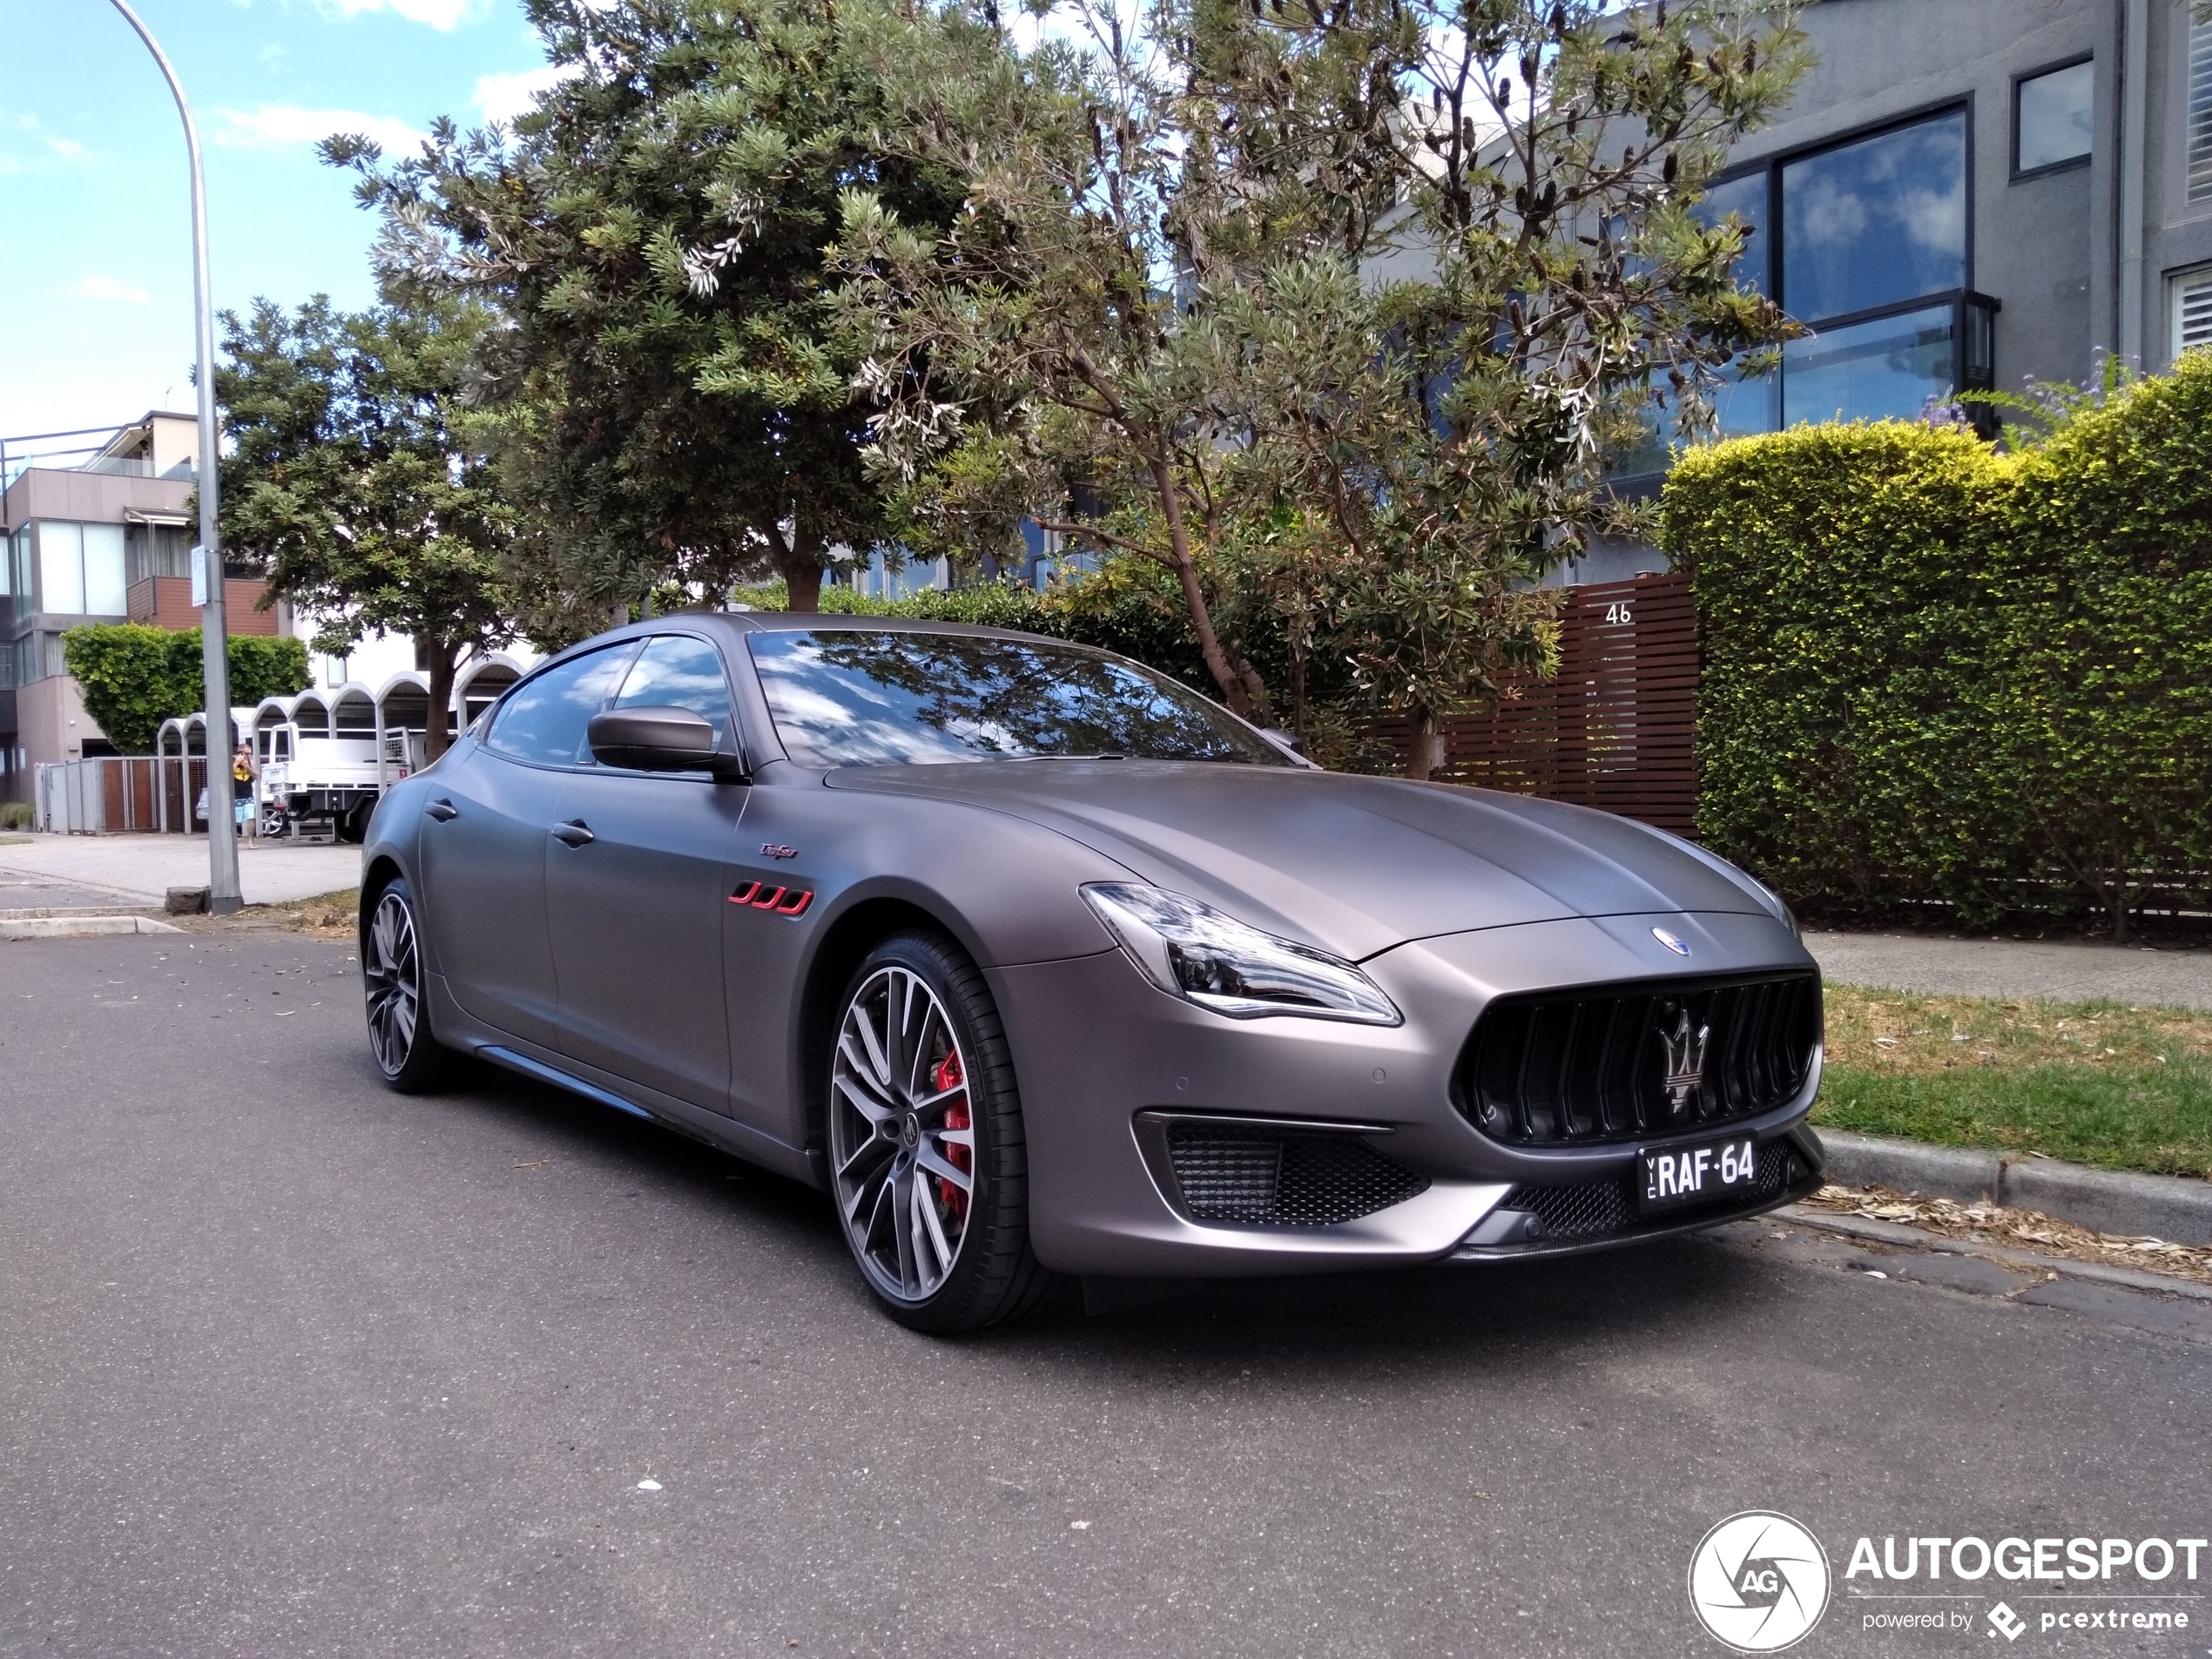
(1056, 342)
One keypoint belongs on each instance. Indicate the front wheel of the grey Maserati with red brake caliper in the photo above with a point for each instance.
(926, 1078)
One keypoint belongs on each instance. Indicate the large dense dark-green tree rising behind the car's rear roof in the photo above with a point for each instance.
(667, 397)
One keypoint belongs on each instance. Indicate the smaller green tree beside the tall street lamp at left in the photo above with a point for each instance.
(353, 483)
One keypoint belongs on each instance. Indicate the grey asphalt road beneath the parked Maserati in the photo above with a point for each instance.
(291, 1366)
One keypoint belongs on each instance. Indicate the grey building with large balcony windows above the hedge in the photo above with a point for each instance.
(1970, 196)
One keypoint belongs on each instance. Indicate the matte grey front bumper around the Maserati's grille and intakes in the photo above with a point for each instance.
(1107, 1063)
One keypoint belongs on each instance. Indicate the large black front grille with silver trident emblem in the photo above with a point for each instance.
(1563, 1070)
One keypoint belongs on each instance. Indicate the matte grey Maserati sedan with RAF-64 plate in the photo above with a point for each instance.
(1045, 966)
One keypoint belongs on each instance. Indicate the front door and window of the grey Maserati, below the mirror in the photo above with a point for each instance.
(636, 897)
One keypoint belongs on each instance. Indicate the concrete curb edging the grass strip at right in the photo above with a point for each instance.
(2164, 1207)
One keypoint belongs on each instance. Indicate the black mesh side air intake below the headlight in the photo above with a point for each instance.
(1284, 1178)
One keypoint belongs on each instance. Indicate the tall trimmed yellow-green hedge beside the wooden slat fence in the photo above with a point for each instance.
(1934, 674)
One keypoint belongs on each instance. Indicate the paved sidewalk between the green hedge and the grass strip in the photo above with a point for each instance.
(2063, 972)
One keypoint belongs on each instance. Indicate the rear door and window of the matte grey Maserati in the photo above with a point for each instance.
(488, 835)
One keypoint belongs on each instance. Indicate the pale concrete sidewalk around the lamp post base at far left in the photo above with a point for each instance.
(134, 873)
